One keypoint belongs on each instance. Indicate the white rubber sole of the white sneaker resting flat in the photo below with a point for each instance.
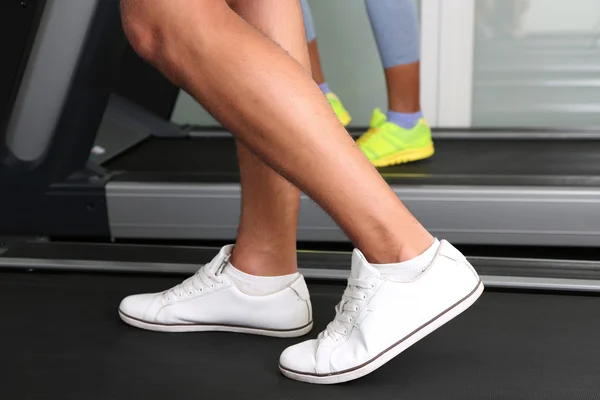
(215, 328)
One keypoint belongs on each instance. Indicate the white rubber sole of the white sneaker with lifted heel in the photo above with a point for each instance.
(381, 359)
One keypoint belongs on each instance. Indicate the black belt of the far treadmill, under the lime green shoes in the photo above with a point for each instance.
(500, 162)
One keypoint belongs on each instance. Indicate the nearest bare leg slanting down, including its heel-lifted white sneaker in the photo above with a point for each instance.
(219, 54)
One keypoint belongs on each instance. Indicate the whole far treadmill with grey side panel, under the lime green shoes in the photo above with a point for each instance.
(150, 179)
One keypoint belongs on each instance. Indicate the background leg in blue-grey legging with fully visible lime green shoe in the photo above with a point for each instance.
(401, 135)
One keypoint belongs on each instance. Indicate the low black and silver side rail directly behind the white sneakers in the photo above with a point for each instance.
(500, 272)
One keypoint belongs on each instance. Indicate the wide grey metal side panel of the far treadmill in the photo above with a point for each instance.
(462, 214)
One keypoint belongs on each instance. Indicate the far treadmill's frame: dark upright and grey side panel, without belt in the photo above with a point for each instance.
(60, 196)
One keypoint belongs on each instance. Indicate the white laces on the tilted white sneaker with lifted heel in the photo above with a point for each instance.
(350, 304)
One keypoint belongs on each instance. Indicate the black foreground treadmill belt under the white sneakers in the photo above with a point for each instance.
(63, 340)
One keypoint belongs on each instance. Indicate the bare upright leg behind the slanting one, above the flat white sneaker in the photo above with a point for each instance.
(266, 241)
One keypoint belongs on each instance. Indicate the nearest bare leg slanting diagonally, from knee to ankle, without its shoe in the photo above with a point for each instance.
(207, 49)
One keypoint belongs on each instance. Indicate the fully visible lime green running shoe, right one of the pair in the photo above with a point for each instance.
(388, 144)
